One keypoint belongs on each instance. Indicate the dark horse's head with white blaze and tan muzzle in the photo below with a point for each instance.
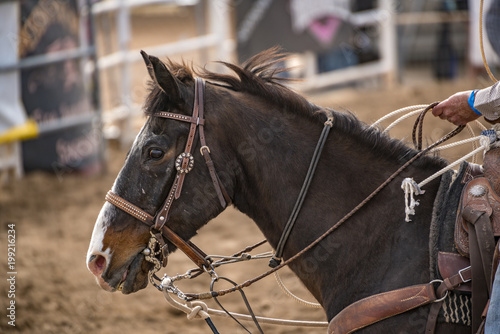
(150, 172)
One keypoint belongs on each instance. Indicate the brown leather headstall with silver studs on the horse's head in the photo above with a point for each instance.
(184, 164)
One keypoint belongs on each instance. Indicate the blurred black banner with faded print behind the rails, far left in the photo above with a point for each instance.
(58, 91)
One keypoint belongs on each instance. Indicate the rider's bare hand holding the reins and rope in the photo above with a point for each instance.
(456, 109)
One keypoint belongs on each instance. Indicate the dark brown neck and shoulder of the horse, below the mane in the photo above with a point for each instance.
(276, 160)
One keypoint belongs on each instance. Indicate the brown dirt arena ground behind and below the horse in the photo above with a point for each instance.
(54, 217)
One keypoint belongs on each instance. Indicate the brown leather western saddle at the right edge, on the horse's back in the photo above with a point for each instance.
(476, 226)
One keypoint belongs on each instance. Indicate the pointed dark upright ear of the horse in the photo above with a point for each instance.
(162, 77)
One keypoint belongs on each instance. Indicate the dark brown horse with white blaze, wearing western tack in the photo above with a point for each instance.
(261, 136)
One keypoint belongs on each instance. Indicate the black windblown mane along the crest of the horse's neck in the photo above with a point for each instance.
(259, 76)
